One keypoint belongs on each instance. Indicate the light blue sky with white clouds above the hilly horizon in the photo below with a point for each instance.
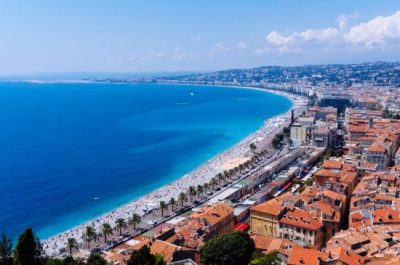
(175, 35)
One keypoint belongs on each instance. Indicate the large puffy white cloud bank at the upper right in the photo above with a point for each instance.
(378, 32)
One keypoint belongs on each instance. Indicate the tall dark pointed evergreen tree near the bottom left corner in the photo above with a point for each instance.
(28, 250)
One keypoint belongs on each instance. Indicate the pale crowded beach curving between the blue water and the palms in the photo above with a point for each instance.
(228, 158)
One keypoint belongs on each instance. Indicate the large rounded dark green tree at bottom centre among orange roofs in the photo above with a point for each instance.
(230, 249)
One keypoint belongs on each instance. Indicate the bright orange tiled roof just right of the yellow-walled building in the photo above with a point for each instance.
(300, 218)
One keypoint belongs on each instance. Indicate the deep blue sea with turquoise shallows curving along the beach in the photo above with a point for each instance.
(63, 145)
